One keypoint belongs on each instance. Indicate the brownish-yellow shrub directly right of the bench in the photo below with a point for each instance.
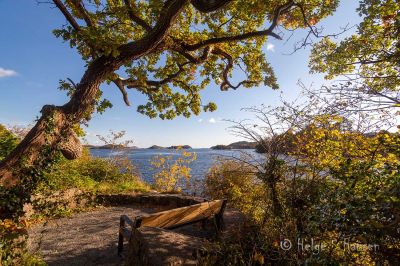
(248, 189)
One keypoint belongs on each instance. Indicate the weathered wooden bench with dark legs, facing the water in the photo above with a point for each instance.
(173, 219)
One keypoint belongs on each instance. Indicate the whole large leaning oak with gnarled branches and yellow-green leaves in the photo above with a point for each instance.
(167, 50)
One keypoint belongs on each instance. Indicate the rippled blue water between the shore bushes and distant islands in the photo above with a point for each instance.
(142, 158)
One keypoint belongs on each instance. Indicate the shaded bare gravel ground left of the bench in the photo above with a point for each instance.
(85, 239)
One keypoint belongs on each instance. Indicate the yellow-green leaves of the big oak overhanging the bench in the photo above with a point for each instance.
(200, 47)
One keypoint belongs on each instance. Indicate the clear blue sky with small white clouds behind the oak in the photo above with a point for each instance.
(32, 61)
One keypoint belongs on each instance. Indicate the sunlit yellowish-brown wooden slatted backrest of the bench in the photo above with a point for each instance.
(181, 216)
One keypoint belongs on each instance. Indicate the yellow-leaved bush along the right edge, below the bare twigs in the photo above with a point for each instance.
(361, 196)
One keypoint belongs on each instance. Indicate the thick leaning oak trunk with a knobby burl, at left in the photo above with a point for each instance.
(53, 129)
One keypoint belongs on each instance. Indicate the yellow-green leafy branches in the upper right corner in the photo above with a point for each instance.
(371, 55)
